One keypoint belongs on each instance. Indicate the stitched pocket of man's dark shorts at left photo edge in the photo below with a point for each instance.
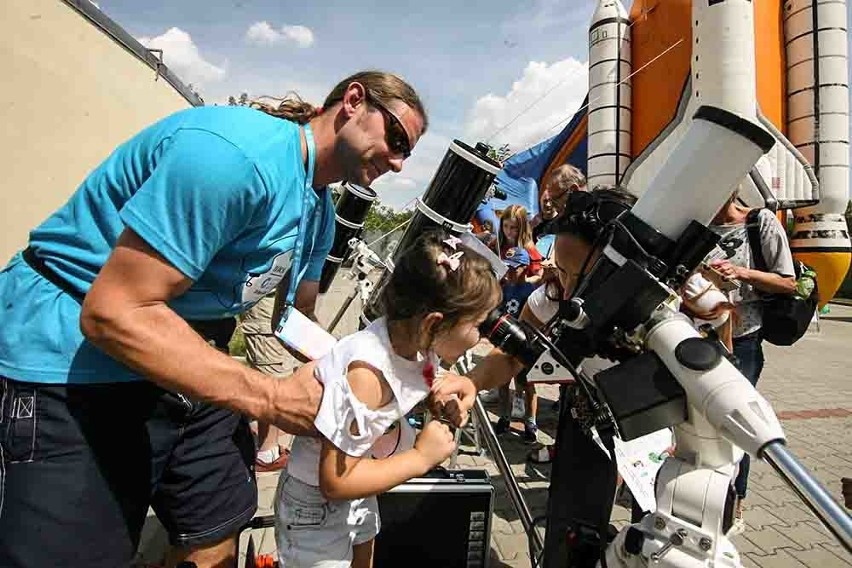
(18, 423)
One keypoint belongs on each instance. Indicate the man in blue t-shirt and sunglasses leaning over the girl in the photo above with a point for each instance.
(109, 400)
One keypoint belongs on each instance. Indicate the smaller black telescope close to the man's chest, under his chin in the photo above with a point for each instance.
(349, 215)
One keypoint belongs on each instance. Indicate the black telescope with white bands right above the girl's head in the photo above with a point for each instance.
(456, 190)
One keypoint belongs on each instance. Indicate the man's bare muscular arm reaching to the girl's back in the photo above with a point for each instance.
(126, 314)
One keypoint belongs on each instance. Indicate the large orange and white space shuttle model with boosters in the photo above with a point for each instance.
(782, 64)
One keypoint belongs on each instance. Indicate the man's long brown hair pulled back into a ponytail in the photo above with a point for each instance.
(379, 85)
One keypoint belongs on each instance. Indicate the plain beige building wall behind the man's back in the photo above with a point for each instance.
(71, 92)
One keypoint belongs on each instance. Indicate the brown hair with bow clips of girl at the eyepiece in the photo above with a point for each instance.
(420, 284)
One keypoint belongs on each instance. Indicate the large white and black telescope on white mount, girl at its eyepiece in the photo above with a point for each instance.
(626, 309)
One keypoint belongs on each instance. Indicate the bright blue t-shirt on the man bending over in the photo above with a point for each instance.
(217, 191)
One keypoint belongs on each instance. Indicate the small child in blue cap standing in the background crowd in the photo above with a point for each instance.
(516, 290)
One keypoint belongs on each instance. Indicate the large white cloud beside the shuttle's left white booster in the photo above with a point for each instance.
(536, 107)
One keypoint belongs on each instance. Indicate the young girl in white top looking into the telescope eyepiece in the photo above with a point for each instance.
(325, 508)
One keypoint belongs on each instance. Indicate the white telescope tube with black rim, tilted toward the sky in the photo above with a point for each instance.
(717, 151)
